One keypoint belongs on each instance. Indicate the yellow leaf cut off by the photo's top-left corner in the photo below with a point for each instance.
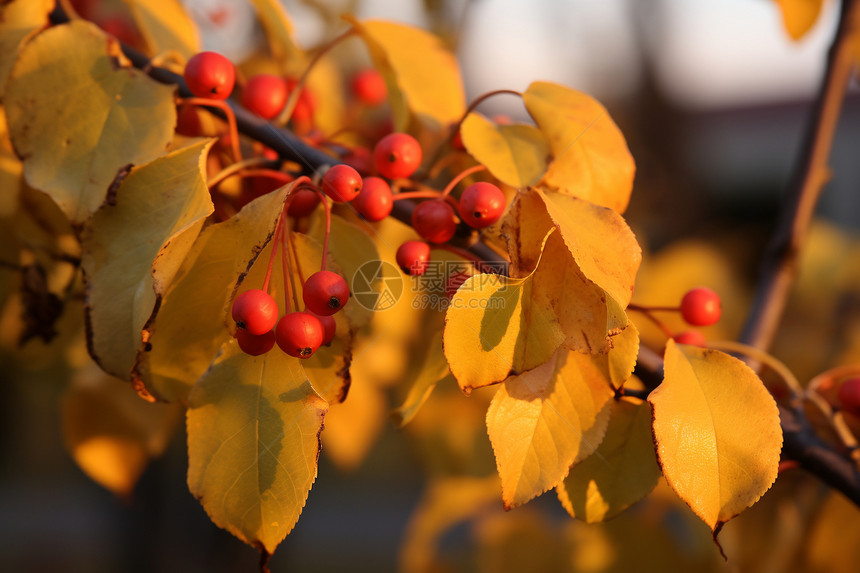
(19, 20)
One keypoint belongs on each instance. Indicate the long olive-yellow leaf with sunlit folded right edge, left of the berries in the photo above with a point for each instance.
(133, 249)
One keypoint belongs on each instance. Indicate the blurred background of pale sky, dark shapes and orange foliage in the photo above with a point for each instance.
(713, 97)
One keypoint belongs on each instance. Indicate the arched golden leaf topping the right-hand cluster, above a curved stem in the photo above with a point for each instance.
(590, 156)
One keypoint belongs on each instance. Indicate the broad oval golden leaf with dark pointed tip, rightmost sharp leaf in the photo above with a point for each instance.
(717, 432)
